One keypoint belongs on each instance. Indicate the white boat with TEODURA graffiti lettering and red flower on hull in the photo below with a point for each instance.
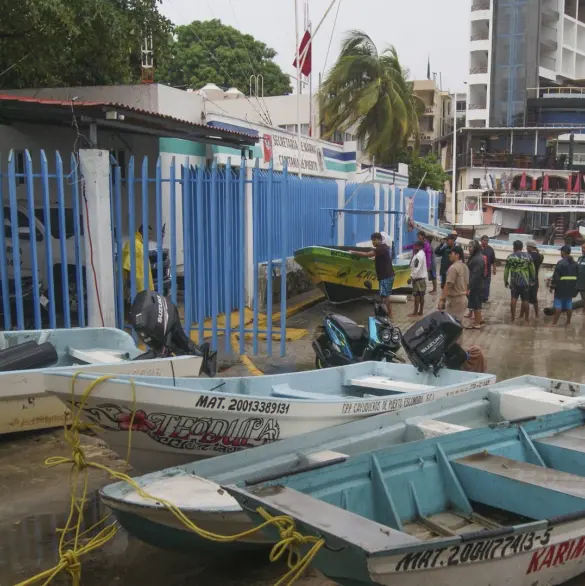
(179, 420)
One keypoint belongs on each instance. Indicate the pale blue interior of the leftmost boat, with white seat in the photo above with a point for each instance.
(78, 346)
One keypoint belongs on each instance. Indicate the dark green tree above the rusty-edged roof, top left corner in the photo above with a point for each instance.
(78, 42)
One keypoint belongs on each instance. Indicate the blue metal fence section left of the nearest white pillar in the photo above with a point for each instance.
(42, 274)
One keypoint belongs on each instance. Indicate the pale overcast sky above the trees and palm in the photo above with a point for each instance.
(417, 28)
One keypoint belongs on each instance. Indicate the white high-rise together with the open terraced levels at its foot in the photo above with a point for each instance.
(525, 118)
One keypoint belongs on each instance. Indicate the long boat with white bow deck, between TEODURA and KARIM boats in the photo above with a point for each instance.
(195, 487)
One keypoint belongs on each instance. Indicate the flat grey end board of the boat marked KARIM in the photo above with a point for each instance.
(328, 519)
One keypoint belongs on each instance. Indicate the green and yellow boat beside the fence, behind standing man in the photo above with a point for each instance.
(342, 275)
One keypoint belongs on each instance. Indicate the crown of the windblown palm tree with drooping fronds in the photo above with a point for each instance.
(372, 91)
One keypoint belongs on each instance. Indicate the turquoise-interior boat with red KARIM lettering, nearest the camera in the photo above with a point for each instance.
(493, 506)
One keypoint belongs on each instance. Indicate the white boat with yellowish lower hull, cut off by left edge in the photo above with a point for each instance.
(24, 404)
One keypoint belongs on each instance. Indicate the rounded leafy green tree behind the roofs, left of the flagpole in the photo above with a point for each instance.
(211, 52)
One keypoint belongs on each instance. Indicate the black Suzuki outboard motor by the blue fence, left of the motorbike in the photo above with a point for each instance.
(157, 323)
